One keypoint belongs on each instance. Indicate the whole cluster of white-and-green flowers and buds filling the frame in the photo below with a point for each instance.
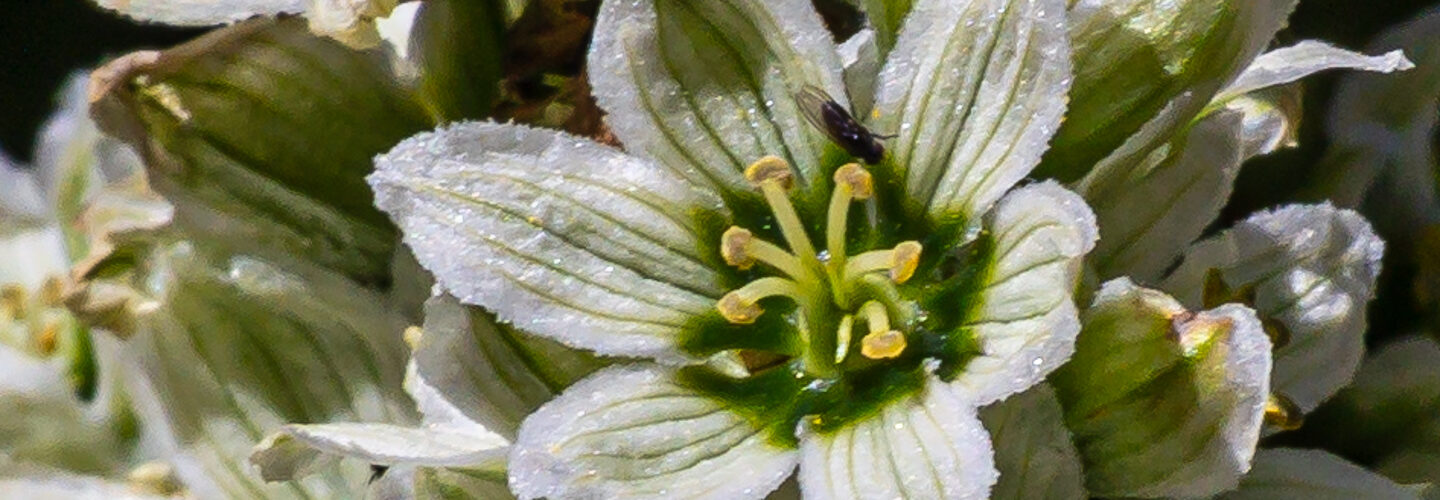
(967, 253)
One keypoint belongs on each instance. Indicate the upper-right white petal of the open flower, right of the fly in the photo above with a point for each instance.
(974, 90)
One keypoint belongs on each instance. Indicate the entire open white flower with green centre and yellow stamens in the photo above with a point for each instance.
(800, 311)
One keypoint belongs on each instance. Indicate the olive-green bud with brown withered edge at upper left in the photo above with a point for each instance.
(261, 135)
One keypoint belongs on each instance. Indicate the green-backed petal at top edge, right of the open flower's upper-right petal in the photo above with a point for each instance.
(1137, 58)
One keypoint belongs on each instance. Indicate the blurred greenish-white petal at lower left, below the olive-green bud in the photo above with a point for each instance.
(231, 348)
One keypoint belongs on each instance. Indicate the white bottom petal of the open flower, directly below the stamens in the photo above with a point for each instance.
(930, 446)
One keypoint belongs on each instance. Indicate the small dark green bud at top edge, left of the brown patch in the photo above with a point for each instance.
(460, 45)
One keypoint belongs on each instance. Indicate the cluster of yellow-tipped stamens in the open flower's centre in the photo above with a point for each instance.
(860, 290)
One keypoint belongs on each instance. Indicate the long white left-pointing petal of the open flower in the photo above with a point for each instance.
(562, 237)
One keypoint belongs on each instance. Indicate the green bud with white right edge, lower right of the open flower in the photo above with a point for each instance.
(1164, 401)
